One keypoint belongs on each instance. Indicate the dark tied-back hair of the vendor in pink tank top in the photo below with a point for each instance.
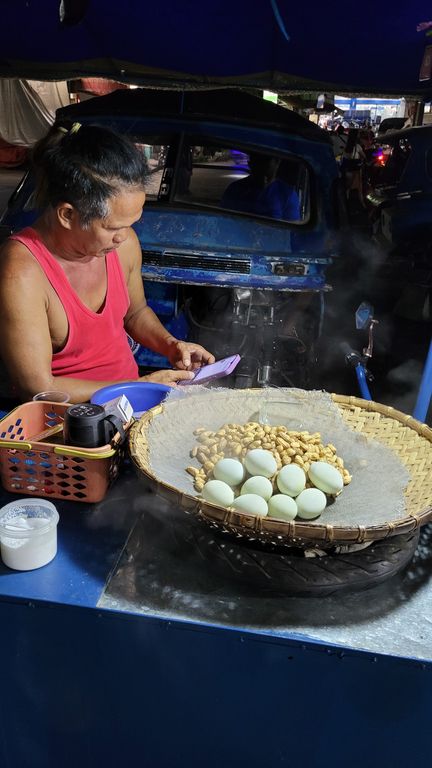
(85, 165)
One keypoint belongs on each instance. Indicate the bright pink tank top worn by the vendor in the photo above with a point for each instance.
(97, 345)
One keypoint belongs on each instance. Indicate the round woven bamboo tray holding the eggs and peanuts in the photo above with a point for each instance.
(408, 438)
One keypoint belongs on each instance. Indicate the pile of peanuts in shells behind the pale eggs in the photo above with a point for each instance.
(235, 440)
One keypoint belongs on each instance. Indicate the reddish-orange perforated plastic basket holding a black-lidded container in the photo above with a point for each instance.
(31, 467)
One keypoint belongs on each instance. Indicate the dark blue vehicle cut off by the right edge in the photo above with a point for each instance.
(400, 203)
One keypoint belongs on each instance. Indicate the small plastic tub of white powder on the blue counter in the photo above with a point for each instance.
(28, 533)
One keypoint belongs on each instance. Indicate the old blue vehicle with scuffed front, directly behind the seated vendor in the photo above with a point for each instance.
(248, 275)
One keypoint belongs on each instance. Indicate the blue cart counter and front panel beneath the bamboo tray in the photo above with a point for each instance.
(142, 643)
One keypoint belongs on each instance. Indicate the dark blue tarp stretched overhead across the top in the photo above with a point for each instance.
(366, 47)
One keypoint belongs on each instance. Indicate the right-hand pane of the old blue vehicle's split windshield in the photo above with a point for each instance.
(246, 182)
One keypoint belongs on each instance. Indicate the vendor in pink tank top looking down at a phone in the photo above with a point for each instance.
(71, 290)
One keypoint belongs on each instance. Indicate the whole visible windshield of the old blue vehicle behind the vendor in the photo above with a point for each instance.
(228, 178)
